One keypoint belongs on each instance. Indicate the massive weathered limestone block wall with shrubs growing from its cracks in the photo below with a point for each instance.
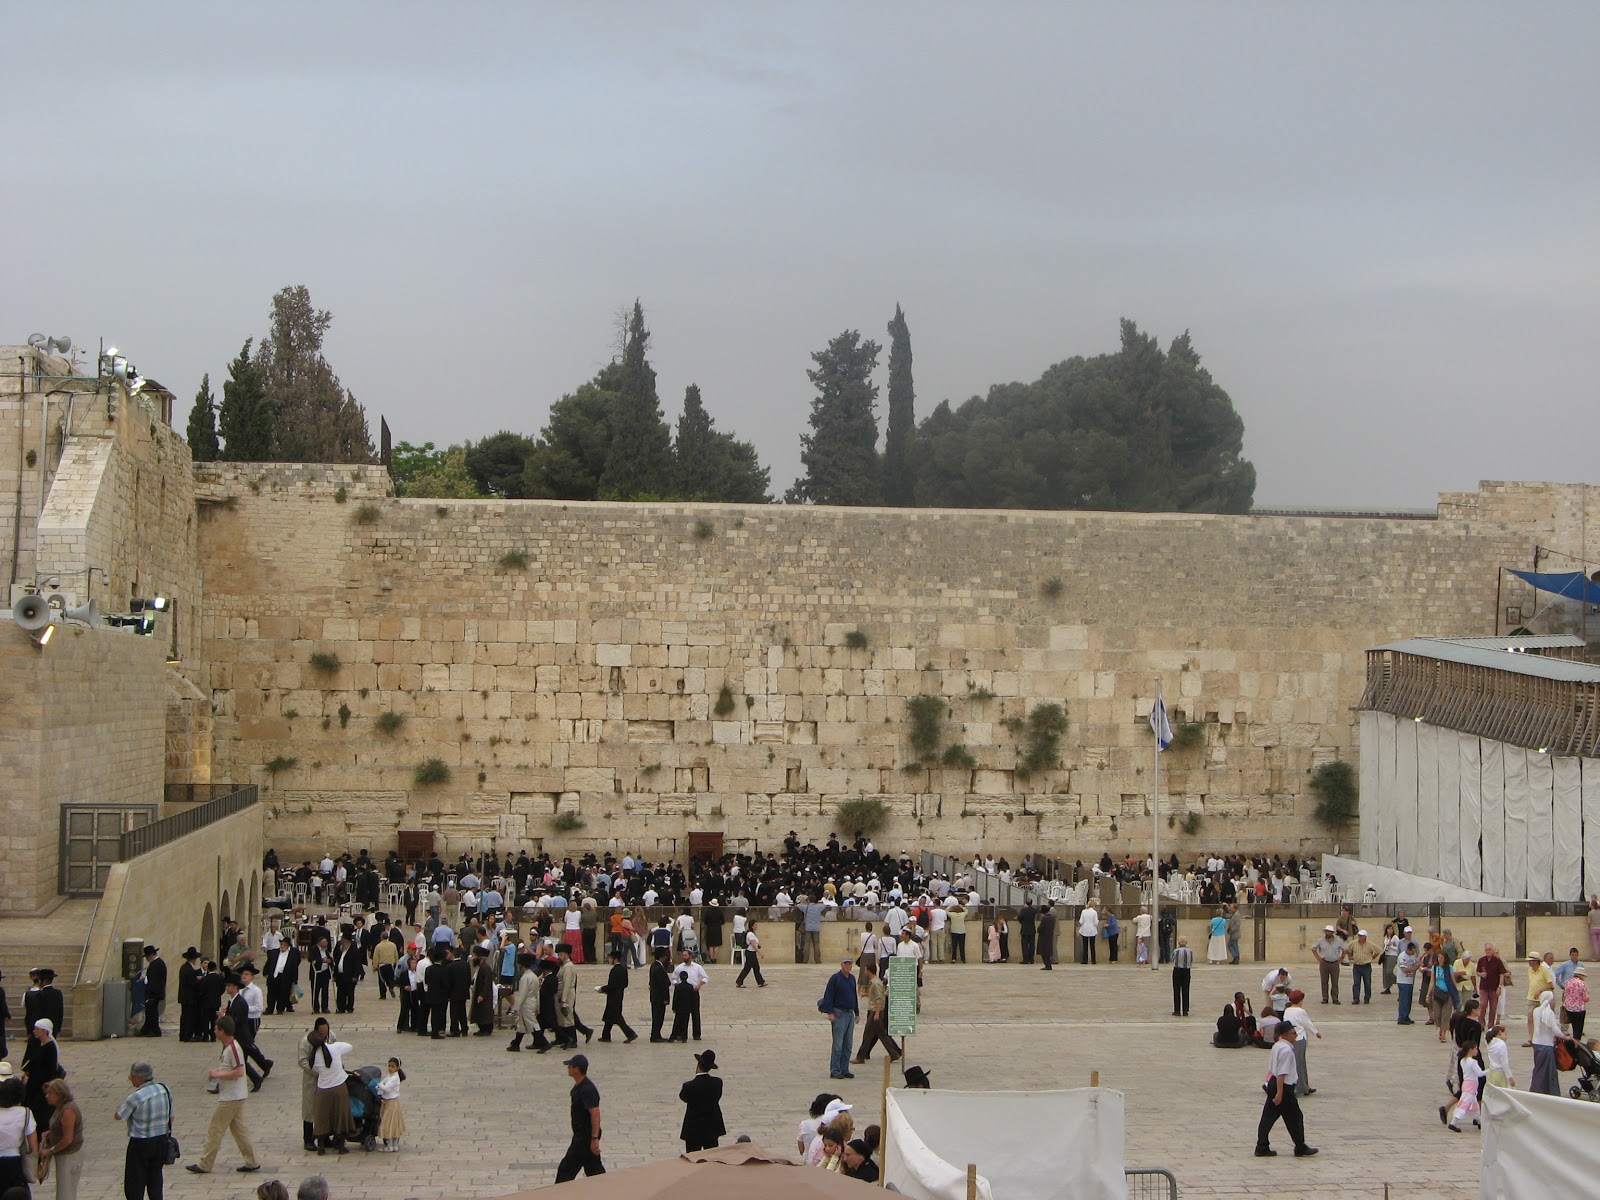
(570, 658)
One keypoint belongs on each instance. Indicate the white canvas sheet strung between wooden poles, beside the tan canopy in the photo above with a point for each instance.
(1026, 1145)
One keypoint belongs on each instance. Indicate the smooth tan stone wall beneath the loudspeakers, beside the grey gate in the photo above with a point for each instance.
(82, 721)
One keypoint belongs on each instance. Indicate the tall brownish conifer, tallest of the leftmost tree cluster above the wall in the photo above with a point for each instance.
(318, 420)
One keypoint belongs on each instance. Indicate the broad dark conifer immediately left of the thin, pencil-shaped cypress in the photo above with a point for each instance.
(841, 452)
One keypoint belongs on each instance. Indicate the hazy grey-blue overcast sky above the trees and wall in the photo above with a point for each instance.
(1380, 222)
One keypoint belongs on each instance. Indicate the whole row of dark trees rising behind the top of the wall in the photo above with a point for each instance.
(1138, 430)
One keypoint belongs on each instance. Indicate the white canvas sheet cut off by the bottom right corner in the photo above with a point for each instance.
(1538, 1146)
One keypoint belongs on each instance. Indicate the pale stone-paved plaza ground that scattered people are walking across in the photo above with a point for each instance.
(486, 1122)
